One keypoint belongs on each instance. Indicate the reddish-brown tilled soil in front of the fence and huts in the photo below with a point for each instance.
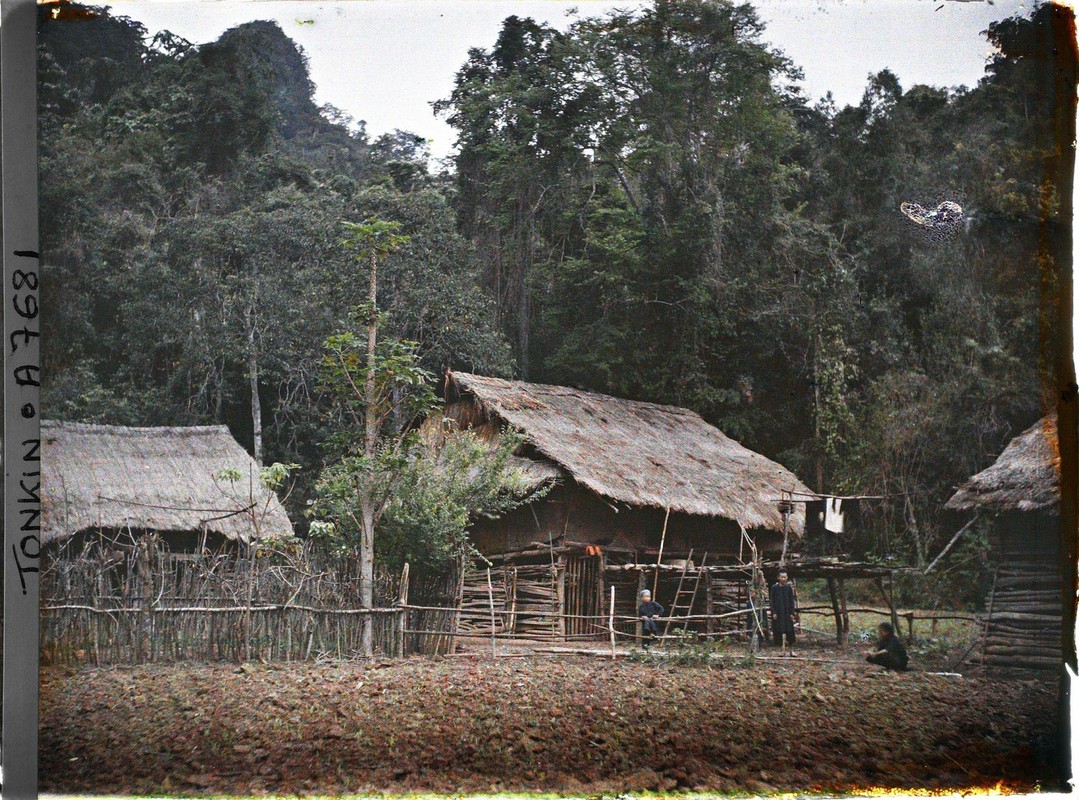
(573, 725)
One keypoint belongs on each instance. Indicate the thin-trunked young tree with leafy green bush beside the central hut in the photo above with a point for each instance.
(385, 482)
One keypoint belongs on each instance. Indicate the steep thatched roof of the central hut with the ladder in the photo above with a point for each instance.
(641, 454)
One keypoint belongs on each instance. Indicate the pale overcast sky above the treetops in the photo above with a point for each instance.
(387, 61)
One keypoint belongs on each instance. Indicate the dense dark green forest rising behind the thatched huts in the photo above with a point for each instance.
(646, 205)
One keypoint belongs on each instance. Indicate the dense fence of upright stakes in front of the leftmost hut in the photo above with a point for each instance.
(138, 603)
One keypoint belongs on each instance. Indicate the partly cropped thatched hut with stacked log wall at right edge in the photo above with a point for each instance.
(1021, 494)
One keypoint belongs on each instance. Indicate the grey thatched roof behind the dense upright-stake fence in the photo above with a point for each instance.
(152, 479)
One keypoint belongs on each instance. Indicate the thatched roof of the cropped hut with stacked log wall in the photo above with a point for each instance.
(1027, 477)
